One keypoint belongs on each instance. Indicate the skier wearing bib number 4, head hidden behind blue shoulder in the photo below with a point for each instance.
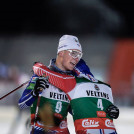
(92, 104)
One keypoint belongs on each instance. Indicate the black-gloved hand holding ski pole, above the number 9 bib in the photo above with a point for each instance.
(41, 84)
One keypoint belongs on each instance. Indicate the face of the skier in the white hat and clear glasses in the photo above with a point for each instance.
(70, 59)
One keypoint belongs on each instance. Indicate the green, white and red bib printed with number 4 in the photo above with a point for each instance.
(89, 100)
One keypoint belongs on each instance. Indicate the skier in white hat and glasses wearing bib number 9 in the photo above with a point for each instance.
(54, 103)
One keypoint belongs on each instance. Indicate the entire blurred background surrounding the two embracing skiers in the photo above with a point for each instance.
(30, 31)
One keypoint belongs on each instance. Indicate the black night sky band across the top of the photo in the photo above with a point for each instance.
(70, 16)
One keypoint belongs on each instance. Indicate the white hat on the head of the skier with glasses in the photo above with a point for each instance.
(68, 42)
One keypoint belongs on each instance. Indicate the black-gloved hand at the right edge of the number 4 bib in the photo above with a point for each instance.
(113, 111)
